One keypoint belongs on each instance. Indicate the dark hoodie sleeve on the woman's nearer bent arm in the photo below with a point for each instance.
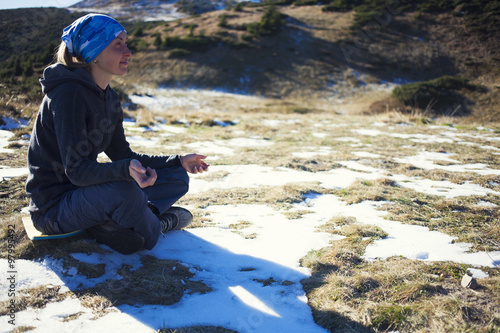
(70, 114)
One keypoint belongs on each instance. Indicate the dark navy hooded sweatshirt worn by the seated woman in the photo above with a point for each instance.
(77, 120)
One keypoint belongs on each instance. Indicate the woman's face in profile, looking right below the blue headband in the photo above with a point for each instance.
(114, 58)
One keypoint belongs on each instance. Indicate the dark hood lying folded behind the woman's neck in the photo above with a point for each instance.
(58, 74)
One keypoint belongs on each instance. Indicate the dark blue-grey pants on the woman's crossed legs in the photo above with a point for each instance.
(123, 202)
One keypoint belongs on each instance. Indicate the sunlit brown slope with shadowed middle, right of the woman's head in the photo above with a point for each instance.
(316, 51)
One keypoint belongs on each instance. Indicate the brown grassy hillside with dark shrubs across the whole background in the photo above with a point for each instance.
(351, 56)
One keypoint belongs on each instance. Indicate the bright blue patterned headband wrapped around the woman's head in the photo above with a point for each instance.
(90, 34)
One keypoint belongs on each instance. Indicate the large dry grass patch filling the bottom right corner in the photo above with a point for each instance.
(349, 294)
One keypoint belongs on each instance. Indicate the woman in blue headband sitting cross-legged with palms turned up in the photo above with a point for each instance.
(126, 203)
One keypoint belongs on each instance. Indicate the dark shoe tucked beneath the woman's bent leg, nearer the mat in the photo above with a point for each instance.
(122, 240)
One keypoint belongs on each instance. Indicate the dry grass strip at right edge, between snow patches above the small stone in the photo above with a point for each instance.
(460, 217)
